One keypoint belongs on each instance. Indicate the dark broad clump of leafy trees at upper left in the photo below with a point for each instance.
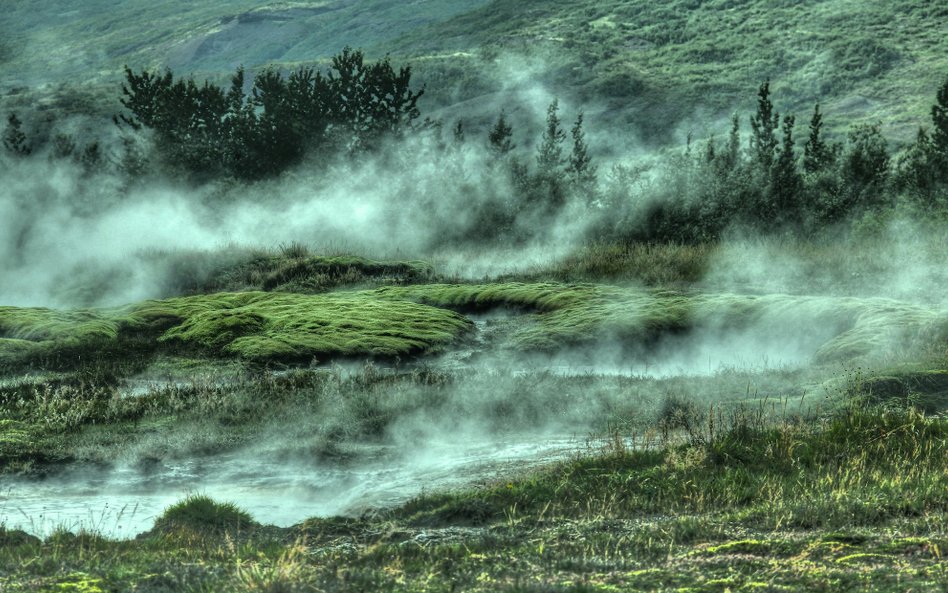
(209, 132)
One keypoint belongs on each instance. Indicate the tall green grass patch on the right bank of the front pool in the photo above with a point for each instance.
(864, 466)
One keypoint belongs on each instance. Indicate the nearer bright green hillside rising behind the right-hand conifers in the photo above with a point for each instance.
(684, 58)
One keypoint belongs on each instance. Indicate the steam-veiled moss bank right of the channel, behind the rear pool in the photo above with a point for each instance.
(581, 314)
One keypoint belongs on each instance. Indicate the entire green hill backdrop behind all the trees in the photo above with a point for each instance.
(655, 69)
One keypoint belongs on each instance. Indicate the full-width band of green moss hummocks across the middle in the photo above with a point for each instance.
(399, 321)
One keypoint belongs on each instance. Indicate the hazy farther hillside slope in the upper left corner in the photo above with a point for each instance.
(49, 40)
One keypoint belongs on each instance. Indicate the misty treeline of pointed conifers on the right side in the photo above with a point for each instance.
(767, 184)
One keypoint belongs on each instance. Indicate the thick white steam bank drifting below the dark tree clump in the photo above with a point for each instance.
(64, 229)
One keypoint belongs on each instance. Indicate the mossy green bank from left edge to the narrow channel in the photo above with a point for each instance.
(254, 326)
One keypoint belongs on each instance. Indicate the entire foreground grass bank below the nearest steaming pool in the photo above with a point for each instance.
(855, 501)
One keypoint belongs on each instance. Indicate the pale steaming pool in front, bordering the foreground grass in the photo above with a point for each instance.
(124, 502)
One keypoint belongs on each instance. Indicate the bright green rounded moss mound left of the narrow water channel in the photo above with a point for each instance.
(267, 326)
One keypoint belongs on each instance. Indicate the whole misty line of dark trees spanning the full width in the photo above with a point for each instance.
(760, 178)
